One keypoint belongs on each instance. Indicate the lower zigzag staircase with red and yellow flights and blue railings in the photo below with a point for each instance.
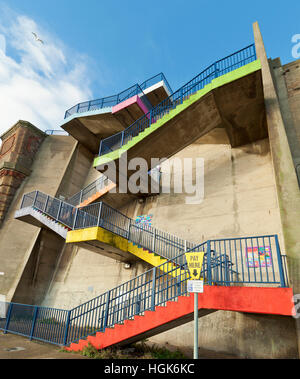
(236, 278)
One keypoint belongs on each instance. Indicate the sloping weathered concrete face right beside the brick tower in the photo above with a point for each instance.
(17, 239)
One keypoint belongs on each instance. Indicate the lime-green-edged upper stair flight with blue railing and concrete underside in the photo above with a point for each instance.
(211, 112)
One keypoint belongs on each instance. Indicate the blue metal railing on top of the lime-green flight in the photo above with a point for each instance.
(219, 68)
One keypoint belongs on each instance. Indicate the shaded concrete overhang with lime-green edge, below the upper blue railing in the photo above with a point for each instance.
(234, 101)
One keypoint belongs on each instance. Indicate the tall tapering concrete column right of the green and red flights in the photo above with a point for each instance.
(286, 180)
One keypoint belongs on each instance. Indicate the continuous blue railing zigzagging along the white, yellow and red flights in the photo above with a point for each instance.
(238, 261)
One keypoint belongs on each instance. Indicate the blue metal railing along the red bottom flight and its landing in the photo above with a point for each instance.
(221, 266)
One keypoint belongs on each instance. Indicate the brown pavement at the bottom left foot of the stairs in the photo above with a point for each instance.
(18, 347)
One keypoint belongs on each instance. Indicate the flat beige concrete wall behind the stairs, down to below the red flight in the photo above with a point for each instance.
(240, 200)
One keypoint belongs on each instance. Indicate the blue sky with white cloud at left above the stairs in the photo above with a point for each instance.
(97, 48)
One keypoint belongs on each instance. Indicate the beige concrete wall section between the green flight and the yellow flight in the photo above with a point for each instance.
(239, 194)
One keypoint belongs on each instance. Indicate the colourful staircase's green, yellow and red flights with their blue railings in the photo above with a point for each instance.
(158, 299)
